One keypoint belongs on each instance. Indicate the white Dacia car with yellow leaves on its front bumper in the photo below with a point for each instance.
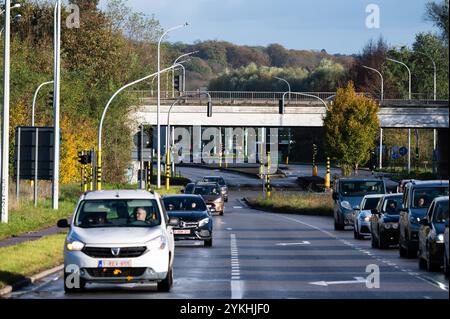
(119, 236)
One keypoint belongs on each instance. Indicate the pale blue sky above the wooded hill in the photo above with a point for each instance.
(338, 26)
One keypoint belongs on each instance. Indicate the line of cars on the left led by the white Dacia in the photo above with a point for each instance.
(127, 236)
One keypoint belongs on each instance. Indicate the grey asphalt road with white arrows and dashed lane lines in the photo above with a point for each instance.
(265, 255)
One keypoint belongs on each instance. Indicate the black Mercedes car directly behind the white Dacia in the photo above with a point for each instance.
(196, 222)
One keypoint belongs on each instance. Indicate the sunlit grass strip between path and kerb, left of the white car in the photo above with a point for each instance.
(23, 260)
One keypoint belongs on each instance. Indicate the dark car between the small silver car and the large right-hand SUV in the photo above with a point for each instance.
(384, 221)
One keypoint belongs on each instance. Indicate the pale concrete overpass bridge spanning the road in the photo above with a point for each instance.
(252, 109)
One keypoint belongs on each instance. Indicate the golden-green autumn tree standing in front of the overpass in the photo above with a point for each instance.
(351, 126)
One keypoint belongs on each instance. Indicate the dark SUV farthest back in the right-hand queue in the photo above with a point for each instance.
(347, 195)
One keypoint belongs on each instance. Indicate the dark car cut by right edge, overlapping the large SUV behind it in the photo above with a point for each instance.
(431, 235)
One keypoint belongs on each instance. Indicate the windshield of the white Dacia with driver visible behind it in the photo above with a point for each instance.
(118, 213)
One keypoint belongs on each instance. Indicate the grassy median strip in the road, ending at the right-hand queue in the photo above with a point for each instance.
(299, 203)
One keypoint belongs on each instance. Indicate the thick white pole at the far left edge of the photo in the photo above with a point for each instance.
(5, 118)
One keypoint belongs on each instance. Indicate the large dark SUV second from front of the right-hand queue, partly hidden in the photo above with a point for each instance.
(417, 198)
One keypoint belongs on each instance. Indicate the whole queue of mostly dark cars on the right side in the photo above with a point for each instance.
(415, 220)
